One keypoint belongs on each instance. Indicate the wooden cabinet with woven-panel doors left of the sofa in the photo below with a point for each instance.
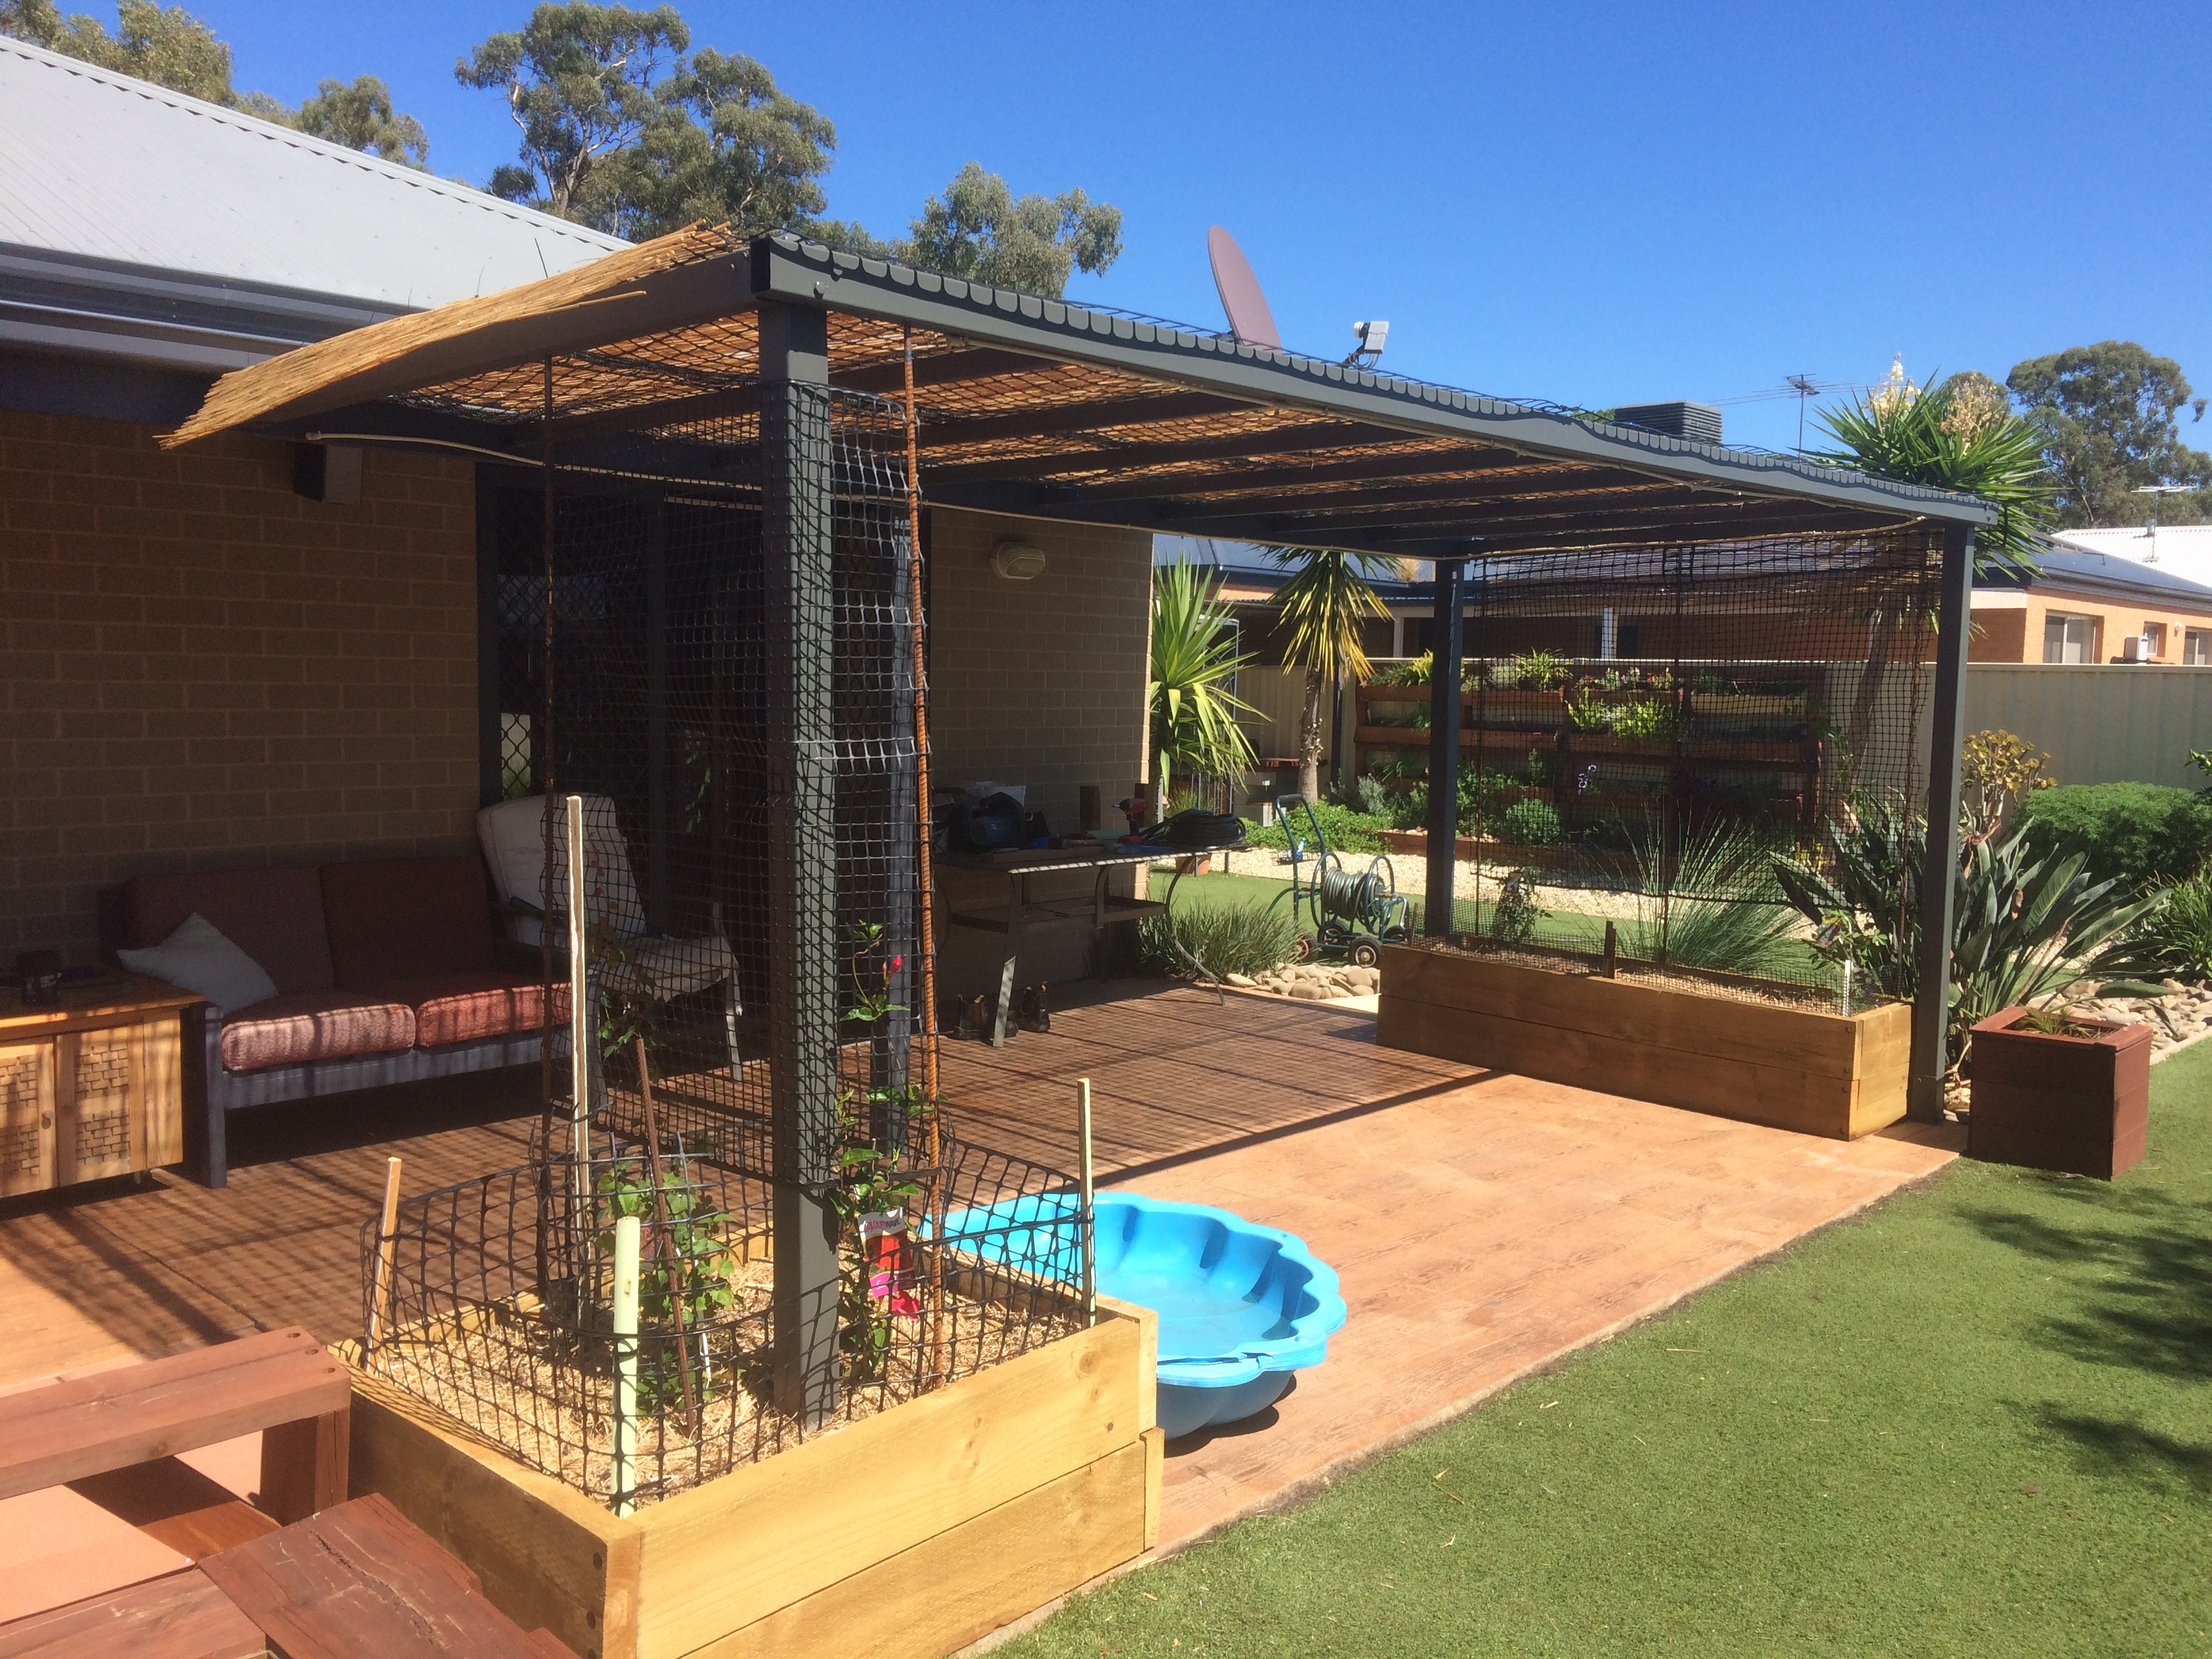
(92, 1087)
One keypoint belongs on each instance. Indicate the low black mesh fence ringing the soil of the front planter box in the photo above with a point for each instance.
(499, 1306)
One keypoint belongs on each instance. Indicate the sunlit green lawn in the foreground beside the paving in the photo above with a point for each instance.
(1974, 1421)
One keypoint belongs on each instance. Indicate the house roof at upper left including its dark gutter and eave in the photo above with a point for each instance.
(152, 242)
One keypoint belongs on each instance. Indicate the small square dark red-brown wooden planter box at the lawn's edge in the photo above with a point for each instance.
(2076, 1105)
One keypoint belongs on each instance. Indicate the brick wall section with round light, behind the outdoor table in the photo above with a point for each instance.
(1039, 685)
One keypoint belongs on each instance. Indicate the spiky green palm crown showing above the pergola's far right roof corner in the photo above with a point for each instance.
(1959, 437)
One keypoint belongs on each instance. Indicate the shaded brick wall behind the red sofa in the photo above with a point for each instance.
(202, 669)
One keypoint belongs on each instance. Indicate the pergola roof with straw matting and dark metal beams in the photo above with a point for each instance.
(1050, 410)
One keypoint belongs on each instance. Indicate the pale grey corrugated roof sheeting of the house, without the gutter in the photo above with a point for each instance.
(107, 167)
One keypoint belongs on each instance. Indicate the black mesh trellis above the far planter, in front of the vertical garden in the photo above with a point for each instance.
(1649, 731)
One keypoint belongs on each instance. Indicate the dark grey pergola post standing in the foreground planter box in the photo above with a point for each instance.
(802, 851)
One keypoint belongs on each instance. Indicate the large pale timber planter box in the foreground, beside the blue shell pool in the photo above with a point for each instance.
(906, 1536)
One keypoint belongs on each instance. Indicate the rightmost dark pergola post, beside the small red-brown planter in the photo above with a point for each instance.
(1939, 870)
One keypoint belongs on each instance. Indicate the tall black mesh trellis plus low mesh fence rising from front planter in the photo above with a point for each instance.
(716, 660)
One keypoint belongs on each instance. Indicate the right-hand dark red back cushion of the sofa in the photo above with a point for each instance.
(406, 919)
